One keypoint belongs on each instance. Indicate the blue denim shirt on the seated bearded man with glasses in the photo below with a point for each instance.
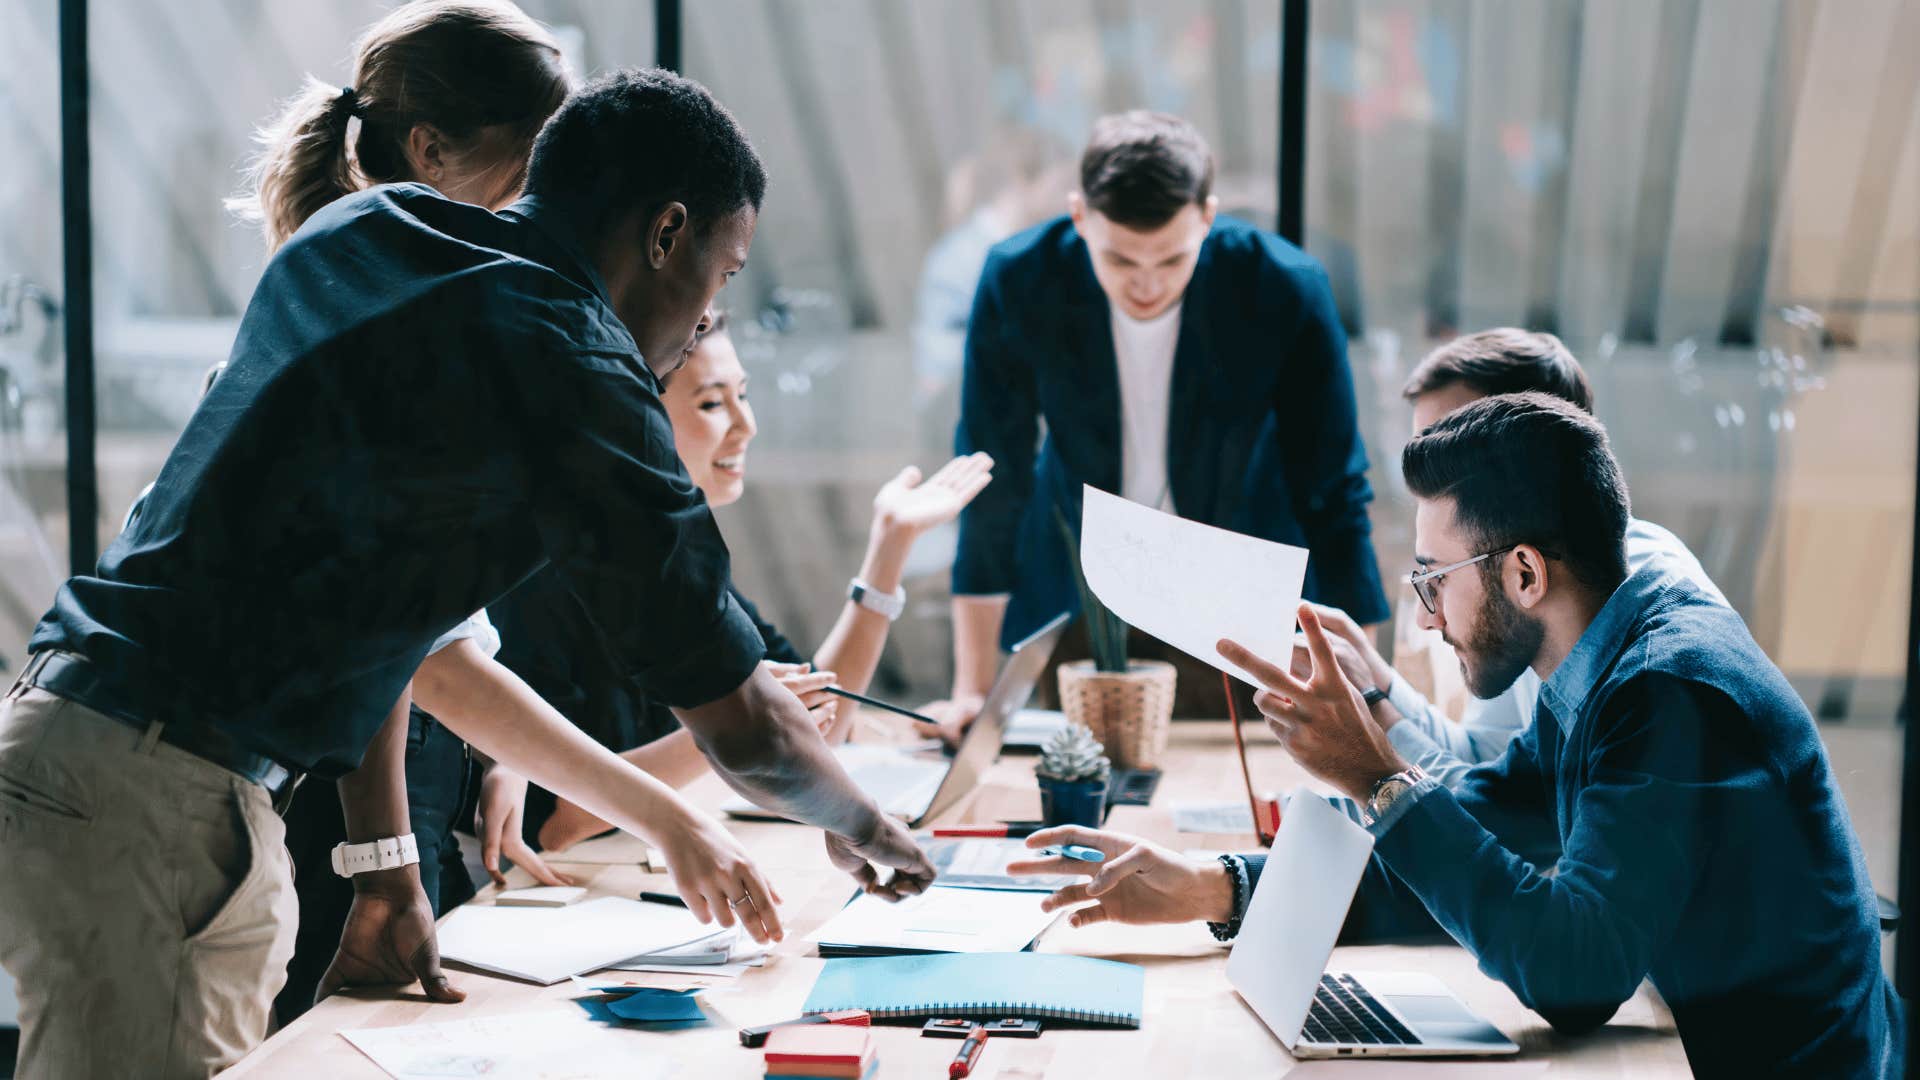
(1702, 845)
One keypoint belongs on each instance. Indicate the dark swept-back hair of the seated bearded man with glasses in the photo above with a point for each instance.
(1529, 470)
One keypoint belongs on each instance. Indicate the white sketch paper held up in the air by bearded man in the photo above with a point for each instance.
(1191, 585)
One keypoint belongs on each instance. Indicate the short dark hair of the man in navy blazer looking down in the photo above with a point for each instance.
(1141, 168)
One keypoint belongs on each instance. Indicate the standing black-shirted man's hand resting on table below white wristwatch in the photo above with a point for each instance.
(389, 939)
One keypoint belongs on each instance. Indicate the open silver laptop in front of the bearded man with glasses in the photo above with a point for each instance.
(1289, 931)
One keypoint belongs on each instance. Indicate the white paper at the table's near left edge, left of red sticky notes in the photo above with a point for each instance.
(535, 1046)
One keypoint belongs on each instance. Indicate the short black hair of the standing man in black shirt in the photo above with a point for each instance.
(640, 139)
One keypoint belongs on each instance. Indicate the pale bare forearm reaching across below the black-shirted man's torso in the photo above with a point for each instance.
(500, 716)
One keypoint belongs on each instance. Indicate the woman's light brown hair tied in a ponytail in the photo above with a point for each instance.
(460, 66)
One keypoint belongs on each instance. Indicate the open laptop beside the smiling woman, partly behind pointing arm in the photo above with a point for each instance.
(919, 787)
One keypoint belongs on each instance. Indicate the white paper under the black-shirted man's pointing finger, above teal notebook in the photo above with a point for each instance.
(942, 920)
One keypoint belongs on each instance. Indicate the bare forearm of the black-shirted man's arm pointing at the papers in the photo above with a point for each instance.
(763, 743)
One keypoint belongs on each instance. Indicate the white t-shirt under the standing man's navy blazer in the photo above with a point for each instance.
(1145, 356)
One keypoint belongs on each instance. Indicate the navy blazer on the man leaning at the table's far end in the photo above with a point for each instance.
(1262, 435)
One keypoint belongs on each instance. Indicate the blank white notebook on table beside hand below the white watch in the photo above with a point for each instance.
(548, 945)
